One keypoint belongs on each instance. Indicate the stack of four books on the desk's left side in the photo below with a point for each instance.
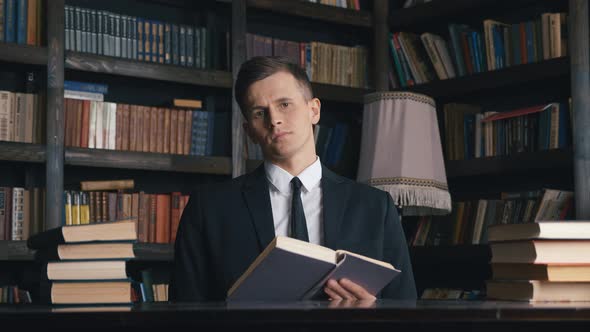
(86, 264)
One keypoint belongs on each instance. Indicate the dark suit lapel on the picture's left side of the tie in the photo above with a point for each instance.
(255, 193)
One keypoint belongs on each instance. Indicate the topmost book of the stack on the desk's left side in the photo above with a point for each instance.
(107, 231)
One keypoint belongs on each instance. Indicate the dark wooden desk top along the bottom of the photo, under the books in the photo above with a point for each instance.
(306, 316)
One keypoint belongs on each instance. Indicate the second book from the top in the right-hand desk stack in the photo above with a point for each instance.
(541, 251)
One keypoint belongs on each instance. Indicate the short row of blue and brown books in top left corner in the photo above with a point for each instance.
(21, 22)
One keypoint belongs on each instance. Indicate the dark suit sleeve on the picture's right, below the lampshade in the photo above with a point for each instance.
(396, 252)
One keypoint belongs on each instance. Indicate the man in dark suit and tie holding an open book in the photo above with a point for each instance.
(225, 226)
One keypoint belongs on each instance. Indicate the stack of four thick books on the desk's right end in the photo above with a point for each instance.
(544, 261)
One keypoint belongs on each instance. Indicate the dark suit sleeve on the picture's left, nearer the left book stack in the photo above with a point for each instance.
(189, 278)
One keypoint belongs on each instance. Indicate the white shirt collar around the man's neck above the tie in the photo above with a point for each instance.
(281, 180)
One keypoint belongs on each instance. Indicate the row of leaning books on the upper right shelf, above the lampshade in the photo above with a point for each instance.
(418, 59)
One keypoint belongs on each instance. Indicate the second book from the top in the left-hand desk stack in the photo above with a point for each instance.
(77, 251)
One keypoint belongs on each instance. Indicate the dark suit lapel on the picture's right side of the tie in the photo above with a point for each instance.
(335, 197)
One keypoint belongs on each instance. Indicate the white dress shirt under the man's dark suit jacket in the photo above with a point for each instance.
(311, 195)
